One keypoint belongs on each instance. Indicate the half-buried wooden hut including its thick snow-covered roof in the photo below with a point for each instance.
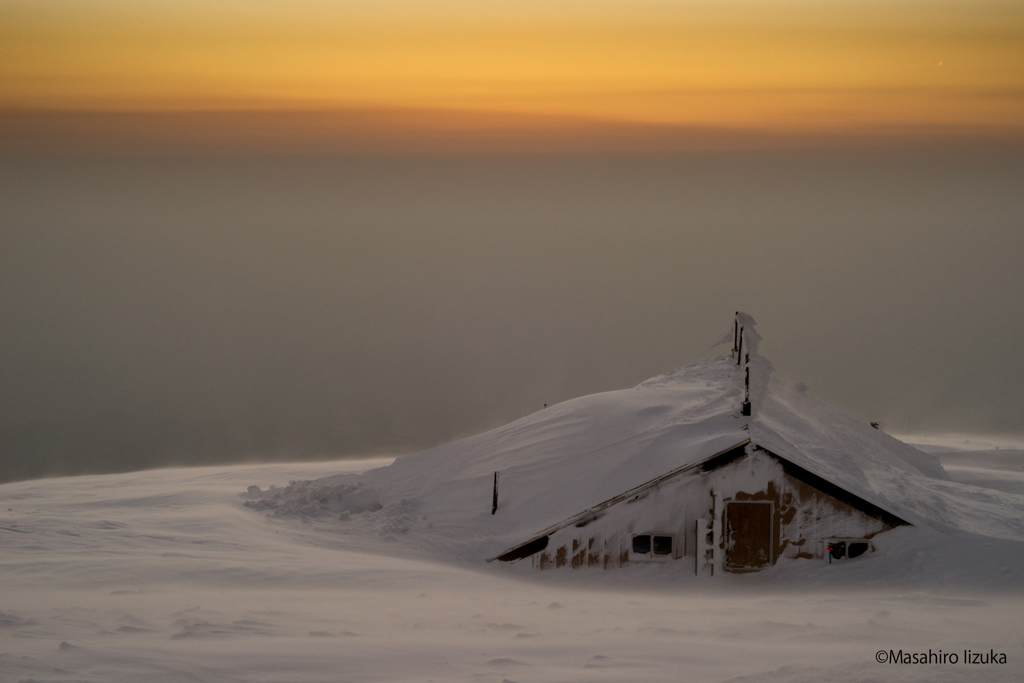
(716, 464)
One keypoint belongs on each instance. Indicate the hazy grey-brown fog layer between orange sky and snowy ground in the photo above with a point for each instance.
(202, 311)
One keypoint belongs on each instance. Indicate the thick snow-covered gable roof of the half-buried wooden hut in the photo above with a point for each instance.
(566, 459)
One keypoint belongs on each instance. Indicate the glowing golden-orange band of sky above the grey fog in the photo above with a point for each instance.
(795, 68)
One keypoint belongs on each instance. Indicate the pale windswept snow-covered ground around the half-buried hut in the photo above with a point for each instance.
(166, 576)
